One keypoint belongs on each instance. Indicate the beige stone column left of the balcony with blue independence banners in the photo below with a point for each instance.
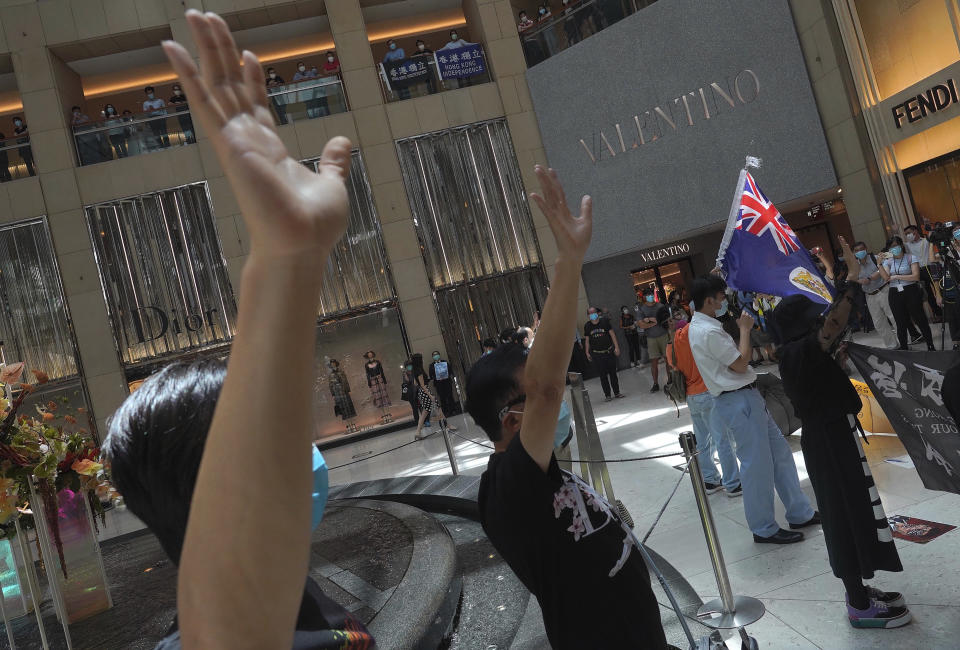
(374, 136)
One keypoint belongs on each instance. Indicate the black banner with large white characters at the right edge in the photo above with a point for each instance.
(907, 386)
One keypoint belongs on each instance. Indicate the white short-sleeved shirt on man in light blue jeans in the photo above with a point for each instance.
(713, 351)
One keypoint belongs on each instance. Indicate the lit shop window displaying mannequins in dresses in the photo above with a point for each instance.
(345, 341)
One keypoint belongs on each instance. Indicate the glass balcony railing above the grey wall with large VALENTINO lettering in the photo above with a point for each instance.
(575, 22)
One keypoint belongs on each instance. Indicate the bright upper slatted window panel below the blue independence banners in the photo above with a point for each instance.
(468, 203)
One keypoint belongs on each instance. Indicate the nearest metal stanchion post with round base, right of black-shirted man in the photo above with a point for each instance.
(729, 611)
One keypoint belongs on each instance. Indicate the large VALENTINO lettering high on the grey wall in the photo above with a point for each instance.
(649, 126)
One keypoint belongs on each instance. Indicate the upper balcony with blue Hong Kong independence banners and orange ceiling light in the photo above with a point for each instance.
(424, 54)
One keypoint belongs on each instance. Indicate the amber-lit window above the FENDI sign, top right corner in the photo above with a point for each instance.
(907, 40)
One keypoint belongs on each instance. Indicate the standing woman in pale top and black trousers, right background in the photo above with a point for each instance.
(901, 270)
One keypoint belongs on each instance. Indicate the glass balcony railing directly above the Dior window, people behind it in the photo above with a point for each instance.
(132, 135)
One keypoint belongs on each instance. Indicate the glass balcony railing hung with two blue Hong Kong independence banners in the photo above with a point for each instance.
(445, 69)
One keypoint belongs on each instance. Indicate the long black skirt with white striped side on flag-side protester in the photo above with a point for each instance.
(855, 527)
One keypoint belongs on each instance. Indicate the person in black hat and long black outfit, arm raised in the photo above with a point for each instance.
(855, 529)
